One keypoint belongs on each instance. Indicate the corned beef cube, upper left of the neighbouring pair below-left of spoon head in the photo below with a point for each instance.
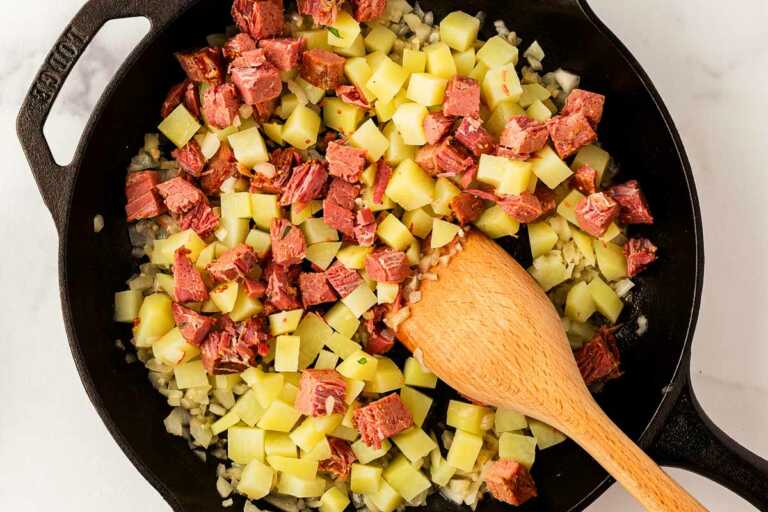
(321, 392)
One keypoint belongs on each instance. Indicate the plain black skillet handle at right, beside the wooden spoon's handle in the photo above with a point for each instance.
(691, 441)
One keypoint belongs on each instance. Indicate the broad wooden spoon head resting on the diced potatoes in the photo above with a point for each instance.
(488, 330)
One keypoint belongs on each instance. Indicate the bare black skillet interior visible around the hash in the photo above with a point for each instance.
(633, 131)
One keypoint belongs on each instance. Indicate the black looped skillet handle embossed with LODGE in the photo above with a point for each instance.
(56, 182)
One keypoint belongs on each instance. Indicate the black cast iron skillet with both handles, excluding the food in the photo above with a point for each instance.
(653, 402)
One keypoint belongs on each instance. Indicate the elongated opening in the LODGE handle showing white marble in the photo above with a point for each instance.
(86, 83)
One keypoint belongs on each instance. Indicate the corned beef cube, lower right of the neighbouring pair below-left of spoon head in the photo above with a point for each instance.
(382, 419)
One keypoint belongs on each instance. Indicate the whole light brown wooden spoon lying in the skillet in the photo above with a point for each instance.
(488, 330)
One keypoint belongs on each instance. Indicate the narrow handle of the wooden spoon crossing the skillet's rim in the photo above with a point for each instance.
(630, 466)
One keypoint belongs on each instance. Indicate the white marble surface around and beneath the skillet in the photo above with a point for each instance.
(710, 64)
